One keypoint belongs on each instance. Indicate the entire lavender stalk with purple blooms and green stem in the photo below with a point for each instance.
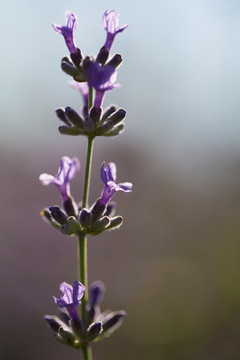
(92, 77)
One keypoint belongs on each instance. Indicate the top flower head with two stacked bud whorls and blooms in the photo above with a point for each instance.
(90, 74)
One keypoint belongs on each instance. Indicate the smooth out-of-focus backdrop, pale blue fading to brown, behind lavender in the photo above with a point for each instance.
(174, 264)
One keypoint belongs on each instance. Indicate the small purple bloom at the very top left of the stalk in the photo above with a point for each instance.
(67, 31)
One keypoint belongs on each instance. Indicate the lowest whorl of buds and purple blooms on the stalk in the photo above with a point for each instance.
(68, 328)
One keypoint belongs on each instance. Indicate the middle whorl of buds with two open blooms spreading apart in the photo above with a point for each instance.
(72, 219)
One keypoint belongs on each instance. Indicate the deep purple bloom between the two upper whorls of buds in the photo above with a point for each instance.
(101, 78)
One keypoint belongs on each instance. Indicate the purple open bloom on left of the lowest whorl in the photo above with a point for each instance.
(70, 297)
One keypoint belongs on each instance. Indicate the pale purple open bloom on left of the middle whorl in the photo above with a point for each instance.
(66, 172)
